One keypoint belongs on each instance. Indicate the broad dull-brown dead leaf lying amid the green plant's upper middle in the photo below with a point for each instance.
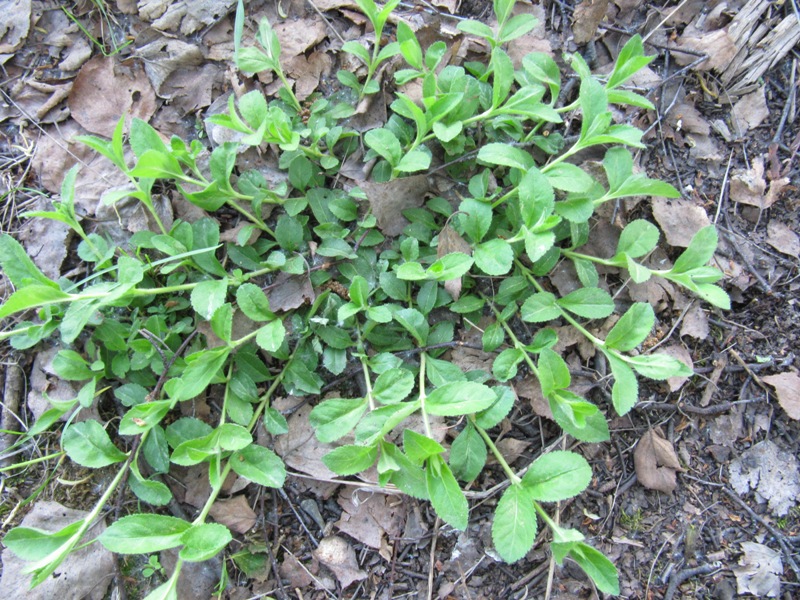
(389, 200)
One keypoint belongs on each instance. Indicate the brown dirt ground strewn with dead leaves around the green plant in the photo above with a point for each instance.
(723, 446)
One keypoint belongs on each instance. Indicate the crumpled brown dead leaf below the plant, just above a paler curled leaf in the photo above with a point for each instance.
(369, 517)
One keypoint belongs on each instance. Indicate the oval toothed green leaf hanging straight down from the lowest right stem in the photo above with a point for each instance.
(514, 527)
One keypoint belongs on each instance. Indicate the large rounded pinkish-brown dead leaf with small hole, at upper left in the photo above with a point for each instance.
(103, 91)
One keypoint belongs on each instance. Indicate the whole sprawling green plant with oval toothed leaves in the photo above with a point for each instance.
(133, 323)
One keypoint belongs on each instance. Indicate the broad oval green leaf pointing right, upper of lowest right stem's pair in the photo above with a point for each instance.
(556, 476)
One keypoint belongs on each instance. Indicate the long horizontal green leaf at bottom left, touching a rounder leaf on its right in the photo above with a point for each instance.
(143, 534)
